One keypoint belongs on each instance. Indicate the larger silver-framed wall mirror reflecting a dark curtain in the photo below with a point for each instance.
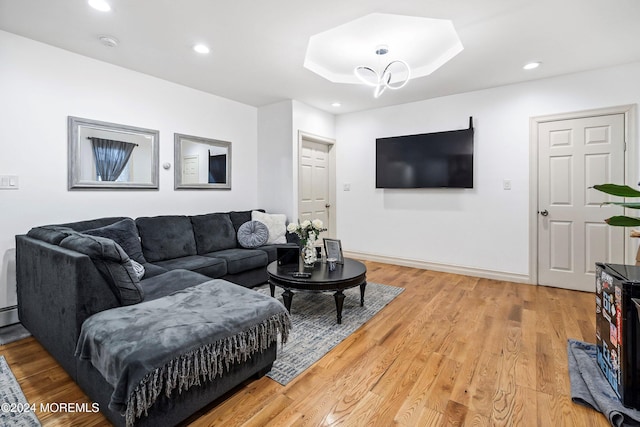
(106, 155)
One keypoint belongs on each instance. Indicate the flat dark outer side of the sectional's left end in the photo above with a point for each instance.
(57, 290)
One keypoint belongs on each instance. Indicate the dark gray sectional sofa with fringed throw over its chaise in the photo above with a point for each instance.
(88, 286)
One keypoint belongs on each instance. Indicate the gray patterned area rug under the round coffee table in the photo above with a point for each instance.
(315, 330)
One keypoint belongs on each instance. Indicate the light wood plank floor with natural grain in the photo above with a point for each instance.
(450, 350)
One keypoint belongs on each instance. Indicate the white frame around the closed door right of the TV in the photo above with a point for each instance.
(630, 163)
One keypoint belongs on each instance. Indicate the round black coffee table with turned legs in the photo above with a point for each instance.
(348, 275)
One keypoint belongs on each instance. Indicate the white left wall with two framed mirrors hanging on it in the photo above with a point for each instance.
(42, 85)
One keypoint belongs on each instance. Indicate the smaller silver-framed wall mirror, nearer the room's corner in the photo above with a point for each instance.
(201, 163)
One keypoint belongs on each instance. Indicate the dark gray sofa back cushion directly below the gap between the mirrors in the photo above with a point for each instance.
(166, 237)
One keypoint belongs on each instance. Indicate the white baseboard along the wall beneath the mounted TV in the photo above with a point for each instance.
(445, 268)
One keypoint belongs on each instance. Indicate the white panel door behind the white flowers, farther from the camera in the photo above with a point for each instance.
(313, 191)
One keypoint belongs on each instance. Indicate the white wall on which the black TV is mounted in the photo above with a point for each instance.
(482, 229)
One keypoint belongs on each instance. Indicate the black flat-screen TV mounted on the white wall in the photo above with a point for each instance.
(428, 160)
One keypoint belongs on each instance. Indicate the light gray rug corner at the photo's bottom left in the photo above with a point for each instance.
(15, 411)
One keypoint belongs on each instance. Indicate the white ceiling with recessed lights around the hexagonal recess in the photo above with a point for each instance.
(258, 47)
